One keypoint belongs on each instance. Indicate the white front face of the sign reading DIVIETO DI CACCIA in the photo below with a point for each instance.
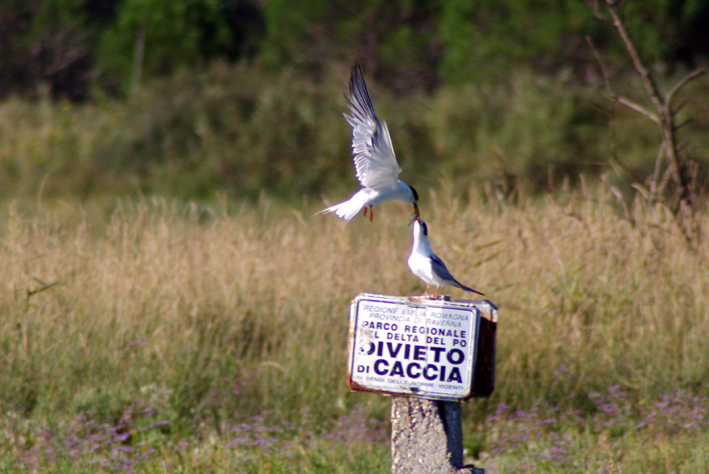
(404, 345)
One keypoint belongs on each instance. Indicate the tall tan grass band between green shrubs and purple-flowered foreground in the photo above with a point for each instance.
(208, 316)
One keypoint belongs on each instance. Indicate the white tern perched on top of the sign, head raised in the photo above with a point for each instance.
(427, 266)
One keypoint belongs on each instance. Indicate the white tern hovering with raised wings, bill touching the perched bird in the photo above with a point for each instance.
(373, 153)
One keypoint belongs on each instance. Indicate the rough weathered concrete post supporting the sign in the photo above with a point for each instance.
(427, 437)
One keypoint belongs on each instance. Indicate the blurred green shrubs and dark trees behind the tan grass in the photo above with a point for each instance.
(192, 96)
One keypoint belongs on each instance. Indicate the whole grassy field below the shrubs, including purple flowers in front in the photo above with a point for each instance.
(163, 338)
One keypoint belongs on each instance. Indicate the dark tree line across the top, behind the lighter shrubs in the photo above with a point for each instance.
(67, 48)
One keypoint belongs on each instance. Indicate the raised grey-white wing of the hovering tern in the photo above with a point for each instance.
(372, 150)
